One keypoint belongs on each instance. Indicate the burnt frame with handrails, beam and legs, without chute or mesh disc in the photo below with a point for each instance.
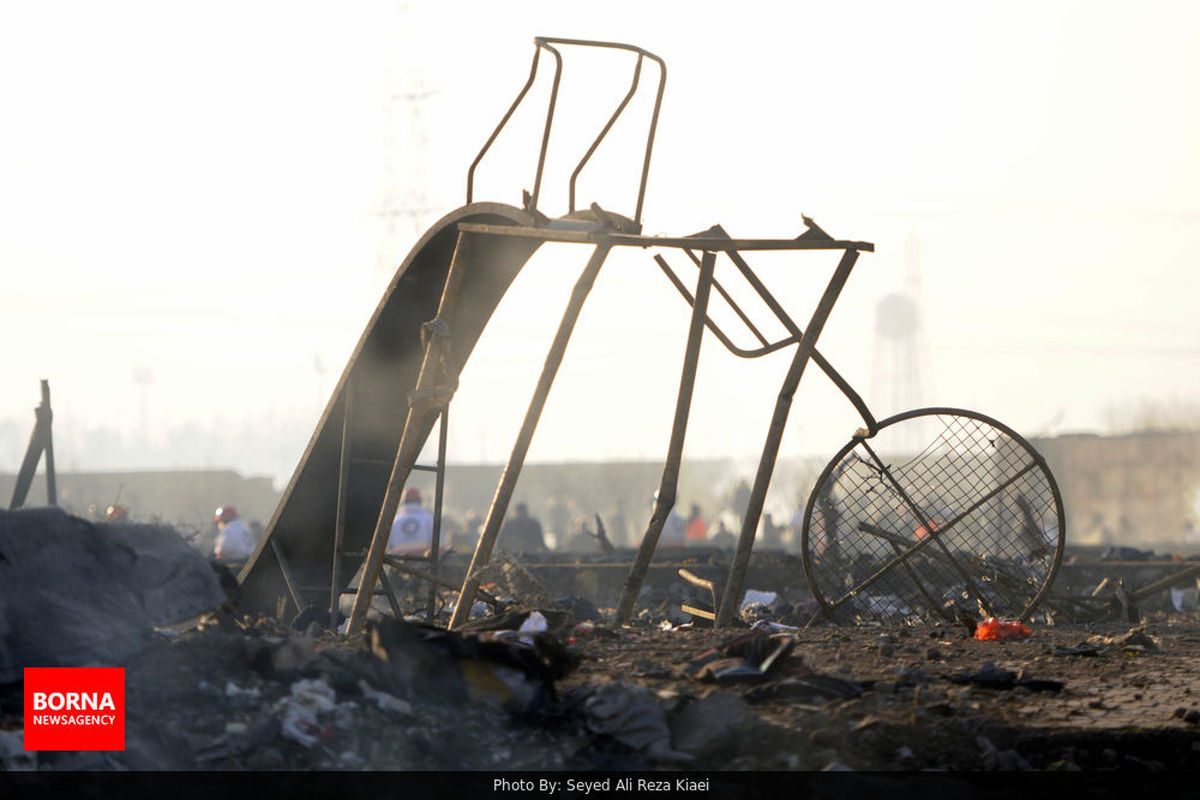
(437, 378)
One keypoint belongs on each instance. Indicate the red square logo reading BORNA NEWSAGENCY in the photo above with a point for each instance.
(75, 708)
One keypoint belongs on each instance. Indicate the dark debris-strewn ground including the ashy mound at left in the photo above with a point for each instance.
(543, 681)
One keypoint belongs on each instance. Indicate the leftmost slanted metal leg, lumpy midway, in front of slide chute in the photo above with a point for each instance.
(410, 442)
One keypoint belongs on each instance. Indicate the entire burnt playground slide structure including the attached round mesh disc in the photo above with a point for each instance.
(926, 515)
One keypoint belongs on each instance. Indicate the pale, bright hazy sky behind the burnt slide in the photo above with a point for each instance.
(190, 197)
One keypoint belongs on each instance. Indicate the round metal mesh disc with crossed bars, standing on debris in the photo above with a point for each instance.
(941, 514)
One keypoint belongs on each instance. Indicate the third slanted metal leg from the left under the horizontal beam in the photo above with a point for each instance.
(665, 498)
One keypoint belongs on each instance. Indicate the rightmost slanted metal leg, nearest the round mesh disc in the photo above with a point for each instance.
(776, 435)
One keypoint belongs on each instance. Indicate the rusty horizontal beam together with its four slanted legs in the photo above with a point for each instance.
(603, 240)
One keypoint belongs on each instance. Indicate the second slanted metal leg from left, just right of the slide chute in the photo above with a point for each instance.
(533, 414)
